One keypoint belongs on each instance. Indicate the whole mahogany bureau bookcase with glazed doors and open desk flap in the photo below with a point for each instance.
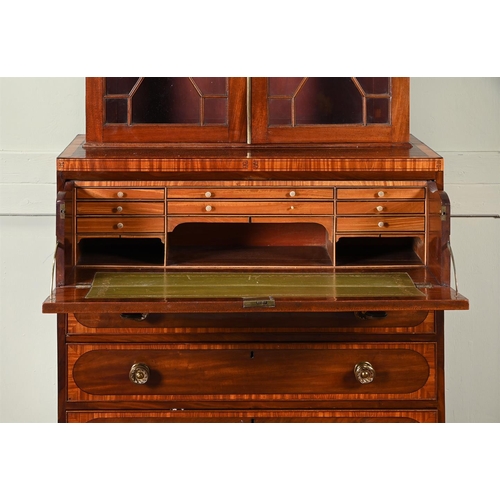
(251, 250)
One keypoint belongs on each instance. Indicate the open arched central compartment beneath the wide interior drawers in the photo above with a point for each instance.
(250, 245)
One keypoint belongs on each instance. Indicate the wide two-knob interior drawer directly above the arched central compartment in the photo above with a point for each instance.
(249, 208)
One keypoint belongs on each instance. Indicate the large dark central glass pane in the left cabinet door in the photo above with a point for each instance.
(166, 100)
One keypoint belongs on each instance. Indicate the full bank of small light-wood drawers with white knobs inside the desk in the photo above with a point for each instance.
(189, 205)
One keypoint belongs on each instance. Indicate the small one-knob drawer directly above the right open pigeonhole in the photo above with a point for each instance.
(380, 224)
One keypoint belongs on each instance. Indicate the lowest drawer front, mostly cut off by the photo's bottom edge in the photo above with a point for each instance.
(297, 416)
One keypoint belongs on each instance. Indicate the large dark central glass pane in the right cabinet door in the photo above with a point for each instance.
(328, 101)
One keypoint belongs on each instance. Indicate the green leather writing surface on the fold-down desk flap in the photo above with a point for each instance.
(109, 285)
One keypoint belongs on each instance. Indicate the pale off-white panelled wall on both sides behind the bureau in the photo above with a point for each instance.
(457, 117)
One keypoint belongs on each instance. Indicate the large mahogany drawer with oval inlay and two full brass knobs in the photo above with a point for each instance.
(253, 371)
